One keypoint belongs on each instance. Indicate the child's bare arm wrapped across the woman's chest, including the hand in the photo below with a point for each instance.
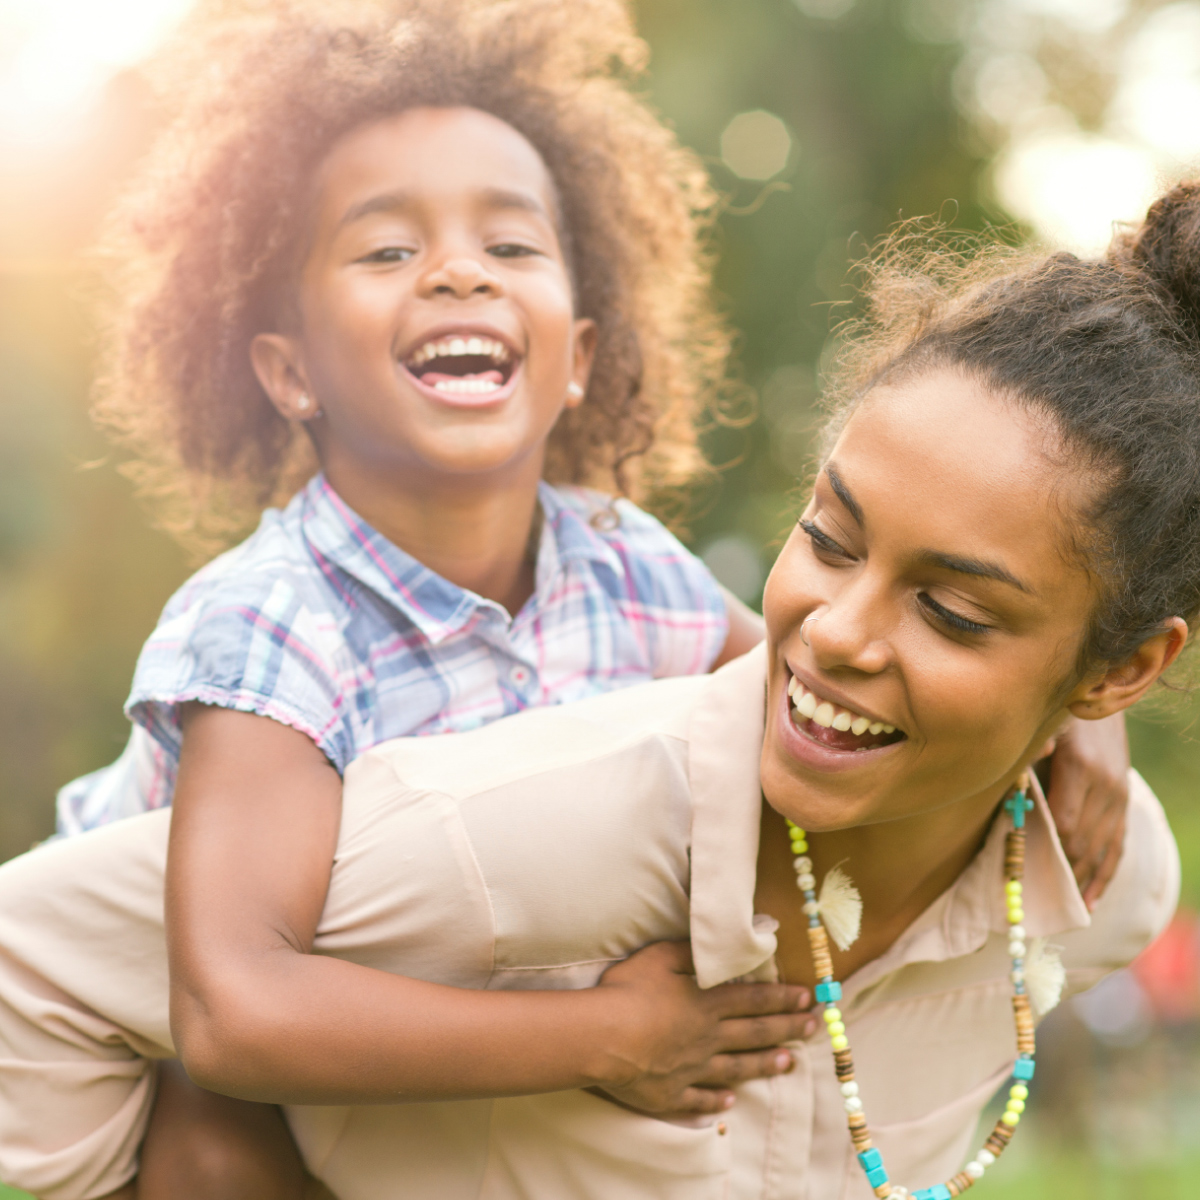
(255, 1016)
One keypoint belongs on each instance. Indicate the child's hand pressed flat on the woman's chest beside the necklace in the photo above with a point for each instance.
(686, 1047)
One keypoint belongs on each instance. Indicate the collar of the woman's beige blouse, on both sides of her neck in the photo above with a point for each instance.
(725, 745)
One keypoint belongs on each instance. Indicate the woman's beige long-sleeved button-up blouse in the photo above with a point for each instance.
(533, 854)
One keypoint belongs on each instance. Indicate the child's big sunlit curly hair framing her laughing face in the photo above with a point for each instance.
(205, 247)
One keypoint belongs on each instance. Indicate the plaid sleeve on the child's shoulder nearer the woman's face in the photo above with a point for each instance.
(671, 593)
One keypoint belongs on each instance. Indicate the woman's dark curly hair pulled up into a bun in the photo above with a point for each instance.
(1108, 351)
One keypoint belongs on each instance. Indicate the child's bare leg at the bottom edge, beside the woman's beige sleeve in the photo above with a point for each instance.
(207, 1147)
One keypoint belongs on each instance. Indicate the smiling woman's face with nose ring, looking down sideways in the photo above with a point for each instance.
(926, 589)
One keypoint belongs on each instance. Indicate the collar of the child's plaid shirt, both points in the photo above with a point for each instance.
(341, 541)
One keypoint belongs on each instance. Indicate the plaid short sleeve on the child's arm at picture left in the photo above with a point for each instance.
(250, 645)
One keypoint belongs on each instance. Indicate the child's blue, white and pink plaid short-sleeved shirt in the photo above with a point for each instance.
(321, 623)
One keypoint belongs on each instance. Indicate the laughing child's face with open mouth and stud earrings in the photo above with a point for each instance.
(437, 329)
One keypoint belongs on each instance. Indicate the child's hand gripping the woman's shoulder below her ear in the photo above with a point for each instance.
(1088, 795)
